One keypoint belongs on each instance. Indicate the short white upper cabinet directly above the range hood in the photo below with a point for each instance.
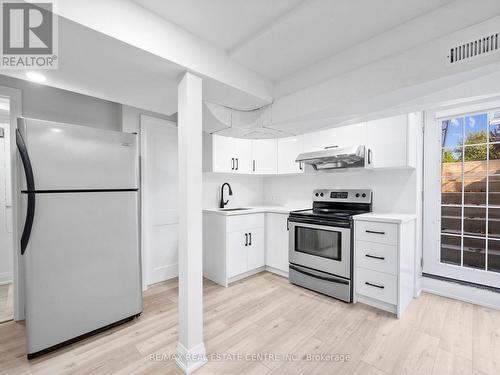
(350, 135)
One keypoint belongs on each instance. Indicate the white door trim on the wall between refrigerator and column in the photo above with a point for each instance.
(143, 209)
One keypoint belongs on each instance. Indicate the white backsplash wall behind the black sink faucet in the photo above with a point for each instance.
(247, 190)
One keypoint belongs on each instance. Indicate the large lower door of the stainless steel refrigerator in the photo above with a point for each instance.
(82, 265)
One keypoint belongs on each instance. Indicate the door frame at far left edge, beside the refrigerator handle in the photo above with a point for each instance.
(15, 111)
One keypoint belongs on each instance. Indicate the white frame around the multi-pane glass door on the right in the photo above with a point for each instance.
(432, 267)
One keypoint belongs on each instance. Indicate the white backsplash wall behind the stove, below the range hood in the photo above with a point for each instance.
(393, 190)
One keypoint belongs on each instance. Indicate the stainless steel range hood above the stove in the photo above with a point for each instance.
(334, 158)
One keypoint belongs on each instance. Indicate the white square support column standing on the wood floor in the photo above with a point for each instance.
(190, 348)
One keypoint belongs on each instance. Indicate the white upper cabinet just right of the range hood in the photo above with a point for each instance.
(391, 142)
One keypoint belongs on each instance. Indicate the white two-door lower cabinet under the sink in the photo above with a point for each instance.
(233, 246)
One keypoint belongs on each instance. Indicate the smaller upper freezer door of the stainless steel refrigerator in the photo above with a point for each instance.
(72, 157)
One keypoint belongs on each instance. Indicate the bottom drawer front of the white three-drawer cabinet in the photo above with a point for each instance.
(377, 285)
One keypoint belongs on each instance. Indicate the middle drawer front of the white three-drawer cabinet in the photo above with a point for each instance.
(377, 256)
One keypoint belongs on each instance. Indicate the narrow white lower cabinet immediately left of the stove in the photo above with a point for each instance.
(277, 243)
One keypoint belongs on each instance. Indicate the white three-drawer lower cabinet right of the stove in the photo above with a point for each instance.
(384, 254)
